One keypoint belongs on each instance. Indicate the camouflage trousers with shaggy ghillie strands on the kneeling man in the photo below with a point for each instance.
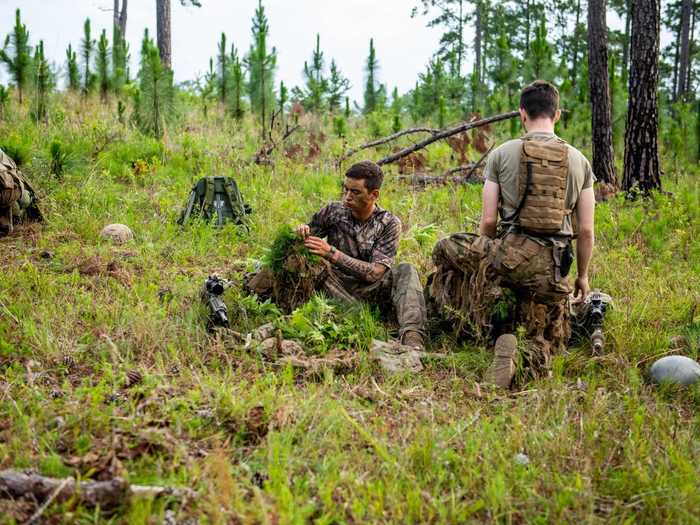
(473, 272)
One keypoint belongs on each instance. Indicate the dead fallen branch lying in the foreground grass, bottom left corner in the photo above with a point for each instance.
(15, 484)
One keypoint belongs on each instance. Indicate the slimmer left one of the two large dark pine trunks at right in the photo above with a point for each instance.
(603, 159)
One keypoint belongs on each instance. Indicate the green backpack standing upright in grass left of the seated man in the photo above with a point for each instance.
(216, 198)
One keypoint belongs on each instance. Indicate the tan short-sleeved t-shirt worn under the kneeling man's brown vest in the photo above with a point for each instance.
(503, 165)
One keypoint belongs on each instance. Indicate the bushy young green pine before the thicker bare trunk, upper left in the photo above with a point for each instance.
(155, 93)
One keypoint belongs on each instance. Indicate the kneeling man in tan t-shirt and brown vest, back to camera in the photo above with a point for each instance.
(542, 188)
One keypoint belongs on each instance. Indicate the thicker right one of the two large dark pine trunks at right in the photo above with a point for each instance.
(641, 132)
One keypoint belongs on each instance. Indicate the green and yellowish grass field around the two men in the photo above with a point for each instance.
(594, 443)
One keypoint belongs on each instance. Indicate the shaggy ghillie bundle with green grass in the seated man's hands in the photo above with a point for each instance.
(289, 274)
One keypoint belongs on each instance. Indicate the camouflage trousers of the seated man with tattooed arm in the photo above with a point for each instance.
(397, 294)
